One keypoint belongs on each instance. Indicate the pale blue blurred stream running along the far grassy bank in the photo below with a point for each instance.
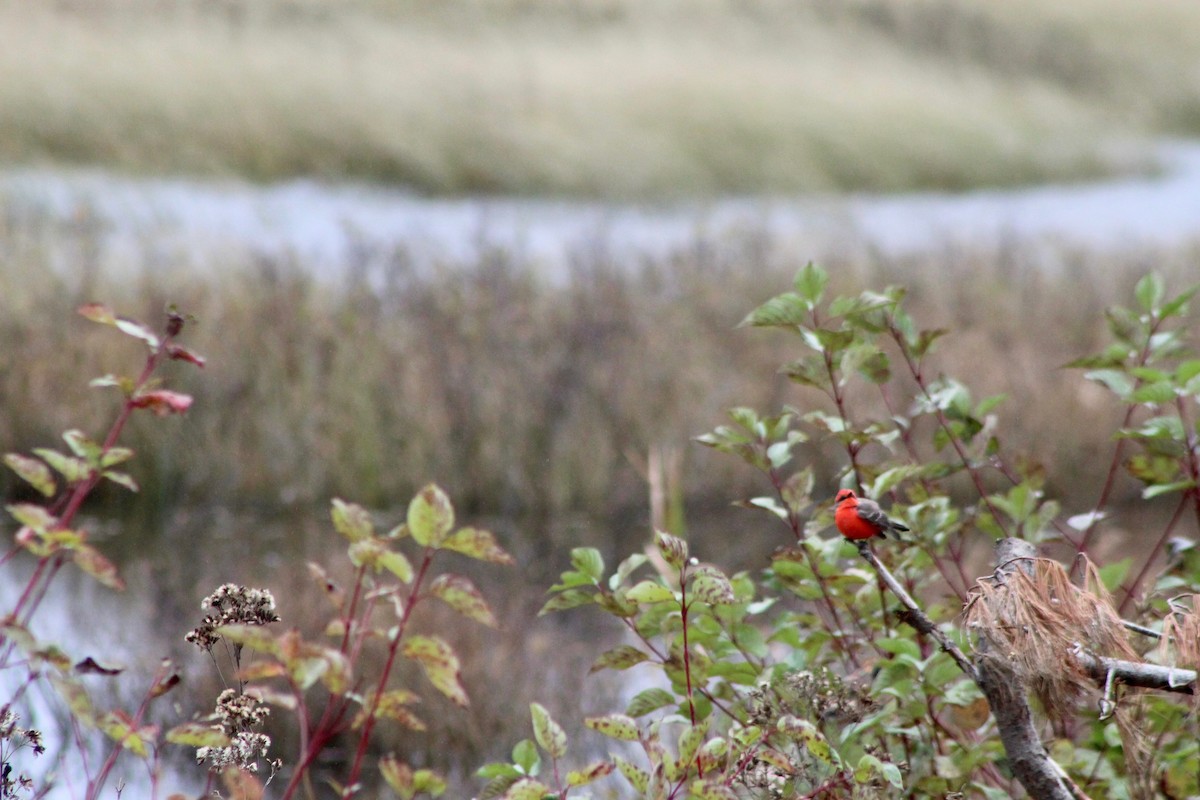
(327, 227)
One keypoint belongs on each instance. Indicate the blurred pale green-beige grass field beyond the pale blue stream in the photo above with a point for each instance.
(616, 99)
